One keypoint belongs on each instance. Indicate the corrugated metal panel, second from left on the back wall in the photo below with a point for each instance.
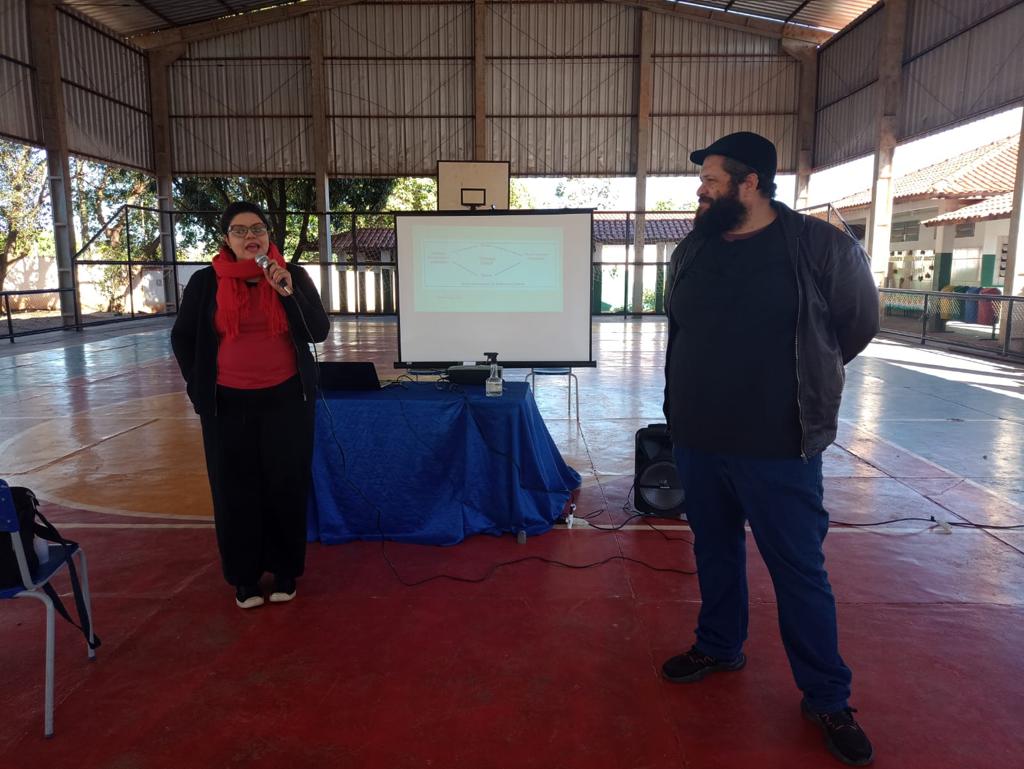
(400, 88)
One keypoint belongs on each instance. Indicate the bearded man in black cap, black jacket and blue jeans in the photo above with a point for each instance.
(765, 308)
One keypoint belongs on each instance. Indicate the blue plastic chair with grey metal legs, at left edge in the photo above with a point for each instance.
(32, 587)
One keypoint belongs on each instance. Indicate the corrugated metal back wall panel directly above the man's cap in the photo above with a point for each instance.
(710, 81)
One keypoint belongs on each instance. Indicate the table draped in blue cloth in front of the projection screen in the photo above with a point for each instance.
(424, 463)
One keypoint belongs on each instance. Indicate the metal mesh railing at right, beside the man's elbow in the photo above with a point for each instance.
(974, 321)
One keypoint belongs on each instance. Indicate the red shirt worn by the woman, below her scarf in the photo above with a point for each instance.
(254, 359)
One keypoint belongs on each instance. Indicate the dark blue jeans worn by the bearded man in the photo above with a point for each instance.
(782, 500)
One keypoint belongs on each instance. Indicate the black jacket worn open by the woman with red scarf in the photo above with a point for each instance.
(195, 338)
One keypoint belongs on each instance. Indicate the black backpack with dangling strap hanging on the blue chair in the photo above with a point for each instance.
(32, 524)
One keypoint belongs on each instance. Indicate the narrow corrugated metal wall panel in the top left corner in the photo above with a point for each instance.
(18, 118)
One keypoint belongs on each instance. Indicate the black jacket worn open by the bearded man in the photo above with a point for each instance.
(837, 317)
